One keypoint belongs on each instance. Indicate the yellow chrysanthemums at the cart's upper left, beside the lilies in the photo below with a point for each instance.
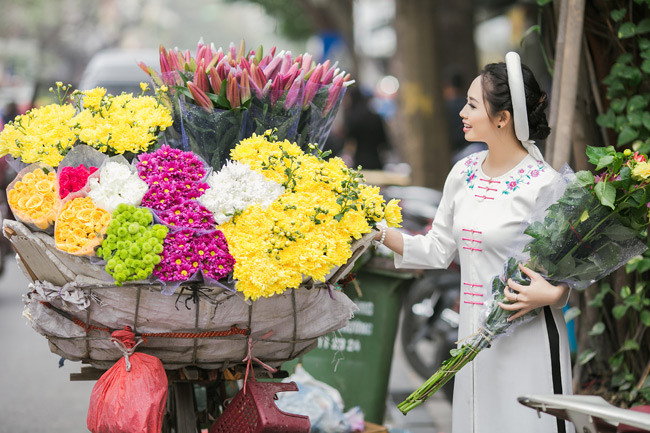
(123, 124)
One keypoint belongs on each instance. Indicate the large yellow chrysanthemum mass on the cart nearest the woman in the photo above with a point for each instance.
(307, 231)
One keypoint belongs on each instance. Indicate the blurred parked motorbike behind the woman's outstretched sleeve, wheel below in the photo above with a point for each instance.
(430, 310)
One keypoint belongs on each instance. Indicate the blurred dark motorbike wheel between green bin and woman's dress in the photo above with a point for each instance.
(425, 337)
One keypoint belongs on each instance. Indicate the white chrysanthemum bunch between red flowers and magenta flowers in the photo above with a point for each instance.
(116, 184)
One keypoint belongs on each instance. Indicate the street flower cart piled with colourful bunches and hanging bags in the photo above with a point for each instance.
(200, 258)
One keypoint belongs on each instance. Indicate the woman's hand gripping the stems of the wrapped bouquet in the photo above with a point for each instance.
(539, 293)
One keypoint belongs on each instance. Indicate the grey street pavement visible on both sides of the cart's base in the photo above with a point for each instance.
(36, 395)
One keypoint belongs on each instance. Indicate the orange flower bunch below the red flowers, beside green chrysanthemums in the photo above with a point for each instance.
(80, 226)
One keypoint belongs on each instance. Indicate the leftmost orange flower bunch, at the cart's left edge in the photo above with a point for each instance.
(33, 199)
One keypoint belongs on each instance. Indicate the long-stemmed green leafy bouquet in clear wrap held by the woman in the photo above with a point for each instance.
(596, 225)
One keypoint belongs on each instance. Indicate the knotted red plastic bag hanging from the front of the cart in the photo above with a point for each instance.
(129, 400)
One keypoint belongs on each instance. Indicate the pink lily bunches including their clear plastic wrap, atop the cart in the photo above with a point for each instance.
(220, 96)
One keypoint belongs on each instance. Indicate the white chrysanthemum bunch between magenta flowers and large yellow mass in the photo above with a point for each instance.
(235, 187)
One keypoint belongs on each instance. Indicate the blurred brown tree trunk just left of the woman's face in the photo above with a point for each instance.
(422, 115)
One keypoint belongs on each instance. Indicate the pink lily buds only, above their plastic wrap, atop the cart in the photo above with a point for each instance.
(229, 79)
